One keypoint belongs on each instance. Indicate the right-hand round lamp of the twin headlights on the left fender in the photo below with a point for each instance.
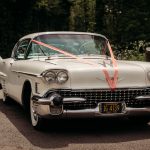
(62, 77)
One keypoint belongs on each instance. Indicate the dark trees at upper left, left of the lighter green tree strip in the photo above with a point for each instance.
(18, 18)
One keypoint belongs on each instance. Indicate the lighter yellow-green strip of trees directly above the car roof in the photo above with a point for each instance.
(82, 17)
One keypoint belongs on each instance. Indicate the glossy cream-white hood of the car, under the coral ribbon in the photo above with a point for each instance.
(84, 75)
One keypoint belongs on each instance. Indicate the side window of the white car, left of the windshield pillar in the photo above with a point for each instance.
(21, 49)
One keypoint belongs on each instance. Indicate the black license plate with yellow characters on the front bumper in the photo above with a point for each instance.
(110, 108)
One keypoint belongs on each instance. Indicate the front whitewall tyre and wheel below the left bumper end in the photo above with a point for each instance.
(36, 121)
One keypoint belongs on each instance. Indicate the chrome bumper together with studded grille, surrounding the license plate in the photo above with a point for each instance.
(129, 96)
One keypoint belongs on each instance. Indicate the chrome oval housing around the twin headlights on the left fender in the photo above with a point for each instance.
(55, 73)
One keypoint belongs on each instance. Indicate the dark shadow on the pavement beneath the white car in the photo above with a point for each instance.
(61, 133)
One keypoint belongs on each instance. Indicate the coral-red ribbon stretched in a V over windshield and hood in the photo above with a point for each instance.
(112, 81)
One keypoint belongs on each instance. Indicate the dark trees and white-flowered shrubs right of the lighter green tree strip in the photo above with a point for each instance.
(125, 23)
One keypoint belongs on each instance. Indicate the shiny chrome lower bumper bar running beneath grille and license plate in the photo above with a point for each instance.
(43, 110)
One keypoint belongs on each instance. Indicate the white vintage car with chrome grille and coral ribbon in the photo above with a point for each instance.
(74, 74)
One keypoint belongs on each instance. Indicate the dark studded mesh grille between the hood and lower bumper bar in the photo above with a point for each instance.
(95, 96)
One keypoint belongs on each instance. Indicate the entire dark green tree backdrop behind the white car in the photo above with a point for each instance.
(124, 22)
